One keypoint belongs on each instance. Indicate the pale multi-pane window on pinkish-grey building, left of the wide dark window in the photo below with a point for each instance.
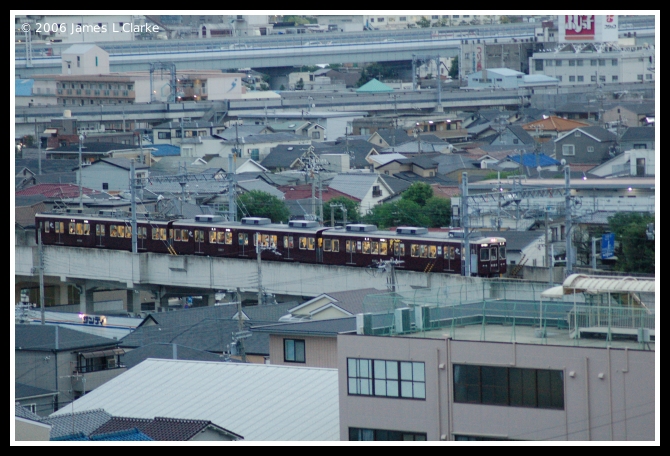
(378, 377)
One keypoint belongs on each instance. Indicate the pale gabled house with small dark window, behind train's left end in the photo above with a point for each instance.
(111, 174)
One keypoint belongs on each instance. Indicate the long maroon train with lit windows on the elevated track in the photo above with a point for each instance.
(301, 241)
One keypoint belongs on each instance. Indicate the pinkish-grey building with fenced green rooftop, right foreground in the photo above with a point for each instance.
(497, 366)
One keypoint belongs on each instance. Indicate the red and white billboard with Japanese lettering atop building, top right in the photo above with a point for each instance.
(588, 28)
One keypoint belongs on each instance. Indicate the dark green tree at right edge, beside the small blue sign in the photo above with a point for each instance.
(635, 252)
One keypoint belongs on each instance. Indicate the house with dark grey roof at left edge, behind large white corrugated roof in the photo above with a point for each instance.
(64, 360)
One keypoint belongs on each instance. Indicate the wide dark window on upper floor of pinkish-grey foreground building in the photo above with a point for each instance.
(538, 388)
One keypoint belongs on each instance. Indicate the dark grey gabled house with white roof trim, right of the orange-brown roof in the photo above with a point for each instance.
(585, 145)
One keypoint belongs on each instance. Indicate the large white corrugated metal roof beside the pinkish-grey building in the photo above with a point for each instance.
(276, 403)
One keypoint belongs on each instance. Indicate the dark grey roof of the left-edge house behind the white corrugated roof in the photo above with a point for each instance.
(43, 338)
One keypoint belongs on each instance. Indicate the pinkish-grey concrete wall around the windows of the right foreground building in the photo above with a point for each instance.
(608, 393)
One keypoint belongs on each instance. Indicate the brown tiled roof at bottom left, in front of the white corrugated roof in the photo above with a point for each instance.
(160, 429)
